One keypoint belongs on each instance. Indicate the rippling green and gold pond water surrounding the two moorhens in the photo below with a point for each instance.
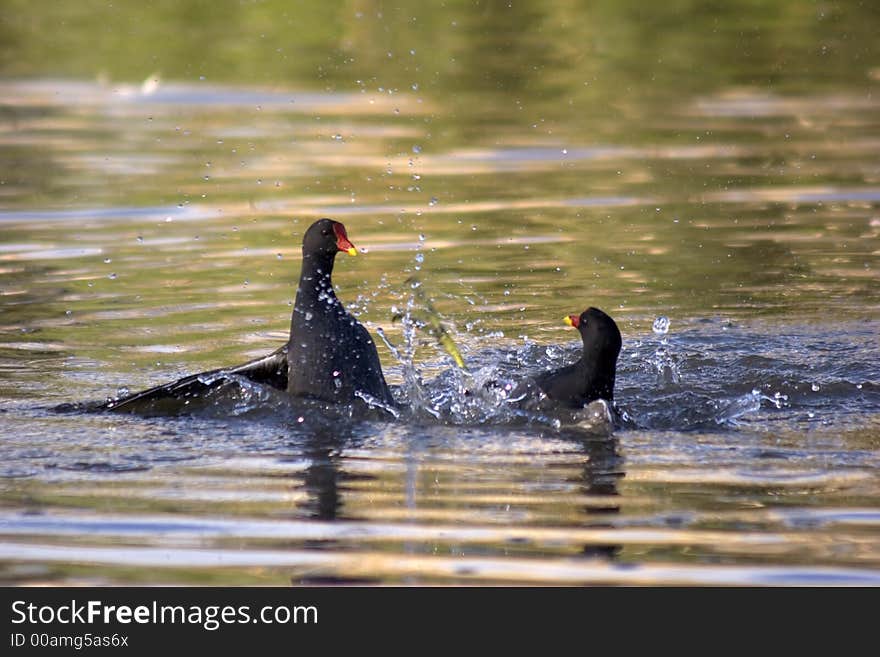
(150, 229)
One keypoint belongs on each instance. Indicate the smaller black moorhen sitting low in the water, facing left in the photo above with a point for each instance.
(592, 377)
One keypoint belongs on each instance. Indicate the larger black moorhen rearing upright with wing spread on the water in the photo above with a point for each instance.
(329, 356)
